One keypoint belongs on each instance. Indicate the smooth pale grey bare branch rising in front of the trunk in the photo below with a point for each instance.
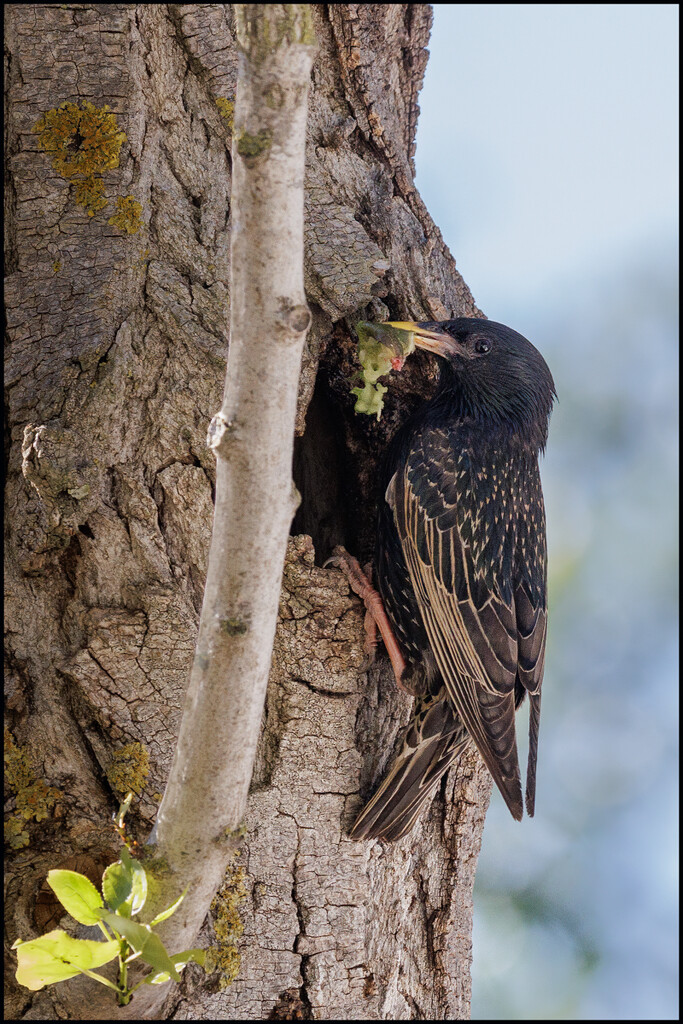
(252, 438)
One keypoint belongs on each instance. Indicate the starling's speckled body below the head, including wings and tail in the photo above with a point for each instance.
(461, 565)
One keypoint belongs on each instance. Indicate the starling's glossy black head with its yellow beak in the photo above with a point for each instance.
(491, 374)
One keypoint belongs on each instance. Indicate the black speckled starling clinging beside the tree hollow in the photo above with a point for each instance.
(461, 566)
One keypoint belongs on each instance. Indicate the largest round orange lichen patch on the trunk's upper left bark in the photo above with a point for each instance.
(82, 141)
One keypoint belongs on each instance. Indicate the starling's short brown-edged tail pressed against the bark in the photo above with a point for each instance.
(434, 741)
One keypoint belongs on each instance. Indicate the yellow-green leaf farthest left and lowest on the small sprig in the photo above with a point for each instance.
(56, 957)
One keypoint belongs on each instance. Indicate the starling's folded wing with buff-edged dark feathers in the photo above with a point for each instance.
(447, 530)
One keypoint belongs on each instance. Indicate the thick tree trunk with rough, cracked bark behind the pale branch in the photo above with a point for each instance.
(118, 336)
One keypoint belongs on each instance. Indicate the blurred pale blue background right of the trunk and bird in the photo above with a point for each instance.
(548, 156)
